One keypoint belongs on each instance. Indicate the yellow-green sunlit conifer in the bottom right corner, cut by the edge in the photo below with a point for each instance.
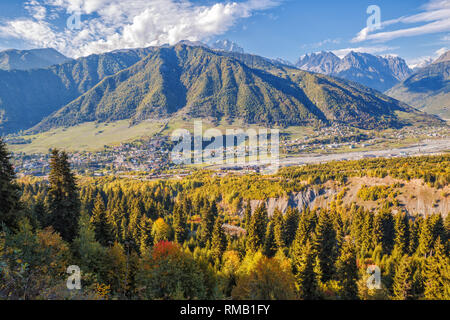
(437, 274)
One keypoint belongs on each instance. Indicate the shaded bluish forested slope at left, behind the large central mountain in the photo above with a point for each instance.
(26, 97)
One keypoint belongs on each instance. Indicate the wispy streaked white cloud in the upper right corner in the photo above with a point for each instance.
(434, 19)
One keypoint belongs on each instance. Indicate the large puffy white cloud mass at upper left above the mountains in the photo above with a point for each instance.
(115, 24)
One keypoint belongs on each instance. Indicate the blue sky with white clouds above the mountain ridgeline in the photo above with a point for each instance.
(416, 30)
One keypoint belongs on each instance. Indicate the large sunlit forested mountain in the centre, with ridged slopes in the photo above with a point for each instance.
(198, 82)
